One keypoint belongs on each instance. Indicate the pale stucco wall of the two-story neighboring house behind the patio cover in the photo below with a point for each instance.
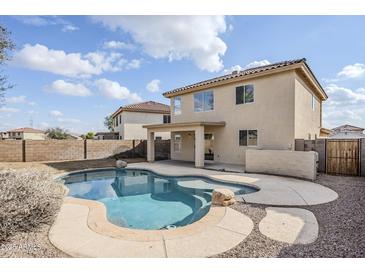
(132, 122)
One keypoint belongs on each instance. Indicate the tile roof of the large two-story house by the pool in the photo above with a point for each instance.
(236, 74)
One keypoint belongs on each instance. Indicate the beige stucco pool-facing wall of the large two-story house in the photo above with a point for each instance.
(272, 114)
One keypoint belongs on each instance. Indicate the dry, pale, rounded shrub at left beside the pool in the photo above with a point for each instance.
(28, 199)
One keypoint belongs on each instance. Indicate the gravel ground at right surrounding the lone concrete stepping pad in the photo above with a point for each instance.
(341, 226)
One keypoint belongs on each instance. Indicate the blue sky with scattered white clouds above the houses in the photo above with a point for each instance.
(71, 71)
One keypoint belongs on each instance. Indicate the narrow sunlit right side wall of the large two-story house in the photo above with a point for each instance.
(307, 120)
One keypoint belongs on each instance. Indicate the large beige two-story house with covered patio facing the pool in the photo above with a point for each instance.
(266, 107)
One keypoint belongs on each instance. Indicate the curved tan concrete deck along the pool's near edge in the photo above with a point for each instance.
(81, 231)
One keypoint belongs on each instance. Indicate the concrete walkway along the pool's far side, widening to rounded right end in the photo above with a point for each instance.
(274, 190)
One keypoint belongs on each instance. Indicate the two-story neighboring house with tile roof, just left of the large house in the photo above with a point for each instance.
(128, 120)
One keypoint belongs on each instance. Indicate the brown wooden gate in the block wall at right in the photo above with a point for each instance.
(343, 157)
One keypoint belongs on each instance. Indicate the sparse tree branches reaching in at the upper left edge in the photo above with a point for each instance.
(6, 45)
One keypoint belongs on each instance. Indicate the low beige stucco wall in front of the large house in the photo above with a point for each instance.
(300, 164)
